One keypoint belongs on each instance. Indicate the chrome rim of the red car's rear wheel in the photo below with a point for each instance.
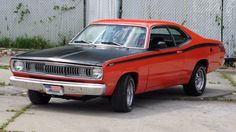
(199, 79)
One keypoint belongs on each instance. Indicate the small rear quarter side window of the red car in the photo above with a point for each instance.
(179, 36)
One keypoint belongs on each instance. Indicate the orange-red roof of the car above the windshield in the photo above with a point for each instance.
(135, 22)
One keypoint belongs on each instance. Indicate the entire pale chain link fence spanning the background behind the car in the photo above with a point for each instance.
(60, 19)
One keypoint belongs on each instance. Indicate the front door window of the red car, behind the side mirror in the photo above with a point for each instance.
(161, 34)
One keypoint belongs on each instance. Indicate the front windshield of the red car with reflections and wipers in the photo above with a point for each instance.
(118, 35)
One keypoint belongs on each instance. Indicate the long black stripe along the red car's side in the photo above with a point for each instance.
(164, 54)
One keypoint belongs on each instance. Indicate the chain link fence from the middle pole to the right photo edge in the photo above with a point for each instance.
(201, 16)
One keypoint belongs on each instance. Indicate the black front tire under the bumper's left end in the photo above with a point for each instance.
(38, 98)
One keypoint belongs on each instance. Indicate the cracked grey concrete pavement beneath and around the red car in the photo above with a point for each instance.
(166, 110)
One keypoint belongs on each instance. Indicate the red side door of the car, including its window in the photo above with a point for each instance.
(166, 67)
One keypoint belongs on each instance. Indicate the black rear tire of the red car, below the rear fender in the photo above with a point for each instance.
(191, 89)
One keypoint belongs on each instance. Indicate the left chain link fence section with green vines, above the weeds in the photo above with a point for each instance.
(51, 19)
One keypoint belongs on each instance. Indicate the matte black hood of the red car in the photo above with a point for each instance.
(86, 55)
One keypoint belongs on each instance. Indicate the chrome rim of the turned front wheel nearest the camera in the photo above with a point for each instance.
(130, 93)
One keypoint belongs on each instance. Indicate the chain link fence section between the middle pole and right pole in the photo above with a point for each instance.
(198, 15)
